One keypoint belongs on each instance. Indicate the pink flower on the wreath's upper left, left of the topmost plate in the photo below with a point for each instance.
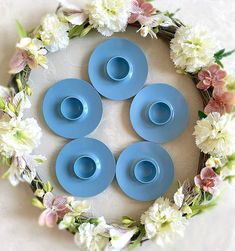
(19, 60)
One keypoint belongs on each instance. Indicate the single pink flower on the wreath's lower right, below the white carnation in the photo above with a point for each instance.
(207, 180)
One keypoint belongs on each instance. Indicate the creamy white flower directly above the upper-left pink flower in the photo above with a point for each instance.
(35, 49)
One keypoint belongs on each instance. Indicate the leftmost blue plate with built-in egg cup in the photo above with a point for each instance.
(72, 108)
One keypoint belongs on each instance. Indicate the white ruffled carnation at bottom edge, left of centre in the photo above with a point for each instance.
(92, 237)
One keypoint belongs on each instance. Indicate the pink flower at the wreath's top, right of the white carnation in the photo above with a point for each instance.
(140, 11)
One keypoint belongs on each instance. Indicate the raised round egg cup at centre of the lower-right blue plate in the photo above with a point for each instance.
(146, 171)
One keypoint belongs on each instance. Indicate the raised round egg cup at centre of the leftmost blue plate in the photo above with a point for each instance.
(73, 108)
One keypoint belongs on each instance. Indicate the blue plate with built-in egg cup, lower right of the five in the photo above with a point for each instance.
(145, 171)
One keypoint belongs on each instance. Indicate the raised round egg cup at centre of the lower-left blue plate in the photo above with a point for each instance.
(86, 167)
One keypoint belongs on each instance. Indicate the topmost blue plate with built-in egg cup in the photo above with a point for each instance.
(118, 69)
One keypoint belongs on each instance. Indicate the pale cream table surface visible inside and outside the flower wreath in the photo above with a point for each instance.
(214, 230)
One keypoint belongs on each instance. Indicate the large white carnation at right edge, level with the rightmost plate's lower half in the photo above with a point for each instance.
(215, 135)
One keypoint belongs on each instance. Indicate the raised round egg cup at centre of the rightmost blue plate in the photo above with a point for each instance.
(160, 113)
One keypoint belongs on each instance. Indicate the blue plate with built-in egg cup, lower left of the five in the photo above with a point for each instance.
(85, 167)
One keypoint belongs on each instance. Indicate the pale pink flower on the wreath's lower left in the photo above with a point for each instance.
(56, 207)
